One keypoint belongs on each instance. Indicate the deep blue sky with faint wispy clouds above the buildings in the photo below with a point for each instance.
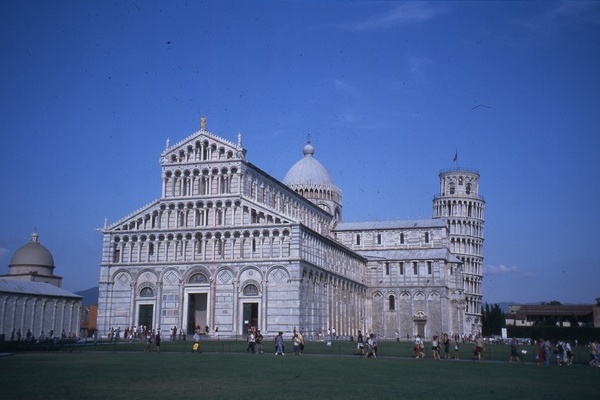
(388, 91)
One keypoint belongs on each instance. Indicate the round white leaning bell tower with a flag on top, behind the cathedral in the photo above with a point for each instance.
(460, 203)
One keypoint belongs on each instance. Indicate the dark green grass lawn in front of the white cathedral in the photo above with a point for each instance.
(225, 371)
